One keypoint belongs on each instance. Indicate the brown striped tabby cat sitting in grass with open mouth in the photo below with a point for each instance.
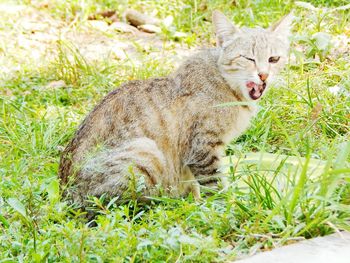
(169, 133)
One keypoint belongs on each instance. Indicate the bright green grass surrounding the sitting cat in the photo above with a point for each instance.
(273, 200)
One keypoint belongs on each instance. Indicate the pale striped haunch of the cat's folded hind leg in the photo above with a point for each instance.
(134, 169)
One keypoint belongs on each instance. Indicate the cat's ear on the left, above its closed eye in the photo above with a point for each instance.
(223, 28)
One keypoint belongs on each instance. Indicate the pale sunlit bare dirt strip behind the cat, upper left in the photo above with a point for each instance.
(30, 35)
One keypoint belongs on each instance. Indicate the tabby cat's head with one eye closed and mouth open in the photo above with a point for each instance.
(250, 58)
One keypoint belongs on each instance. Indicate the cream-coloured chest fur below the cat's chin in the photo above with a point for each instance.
(239, 122)
